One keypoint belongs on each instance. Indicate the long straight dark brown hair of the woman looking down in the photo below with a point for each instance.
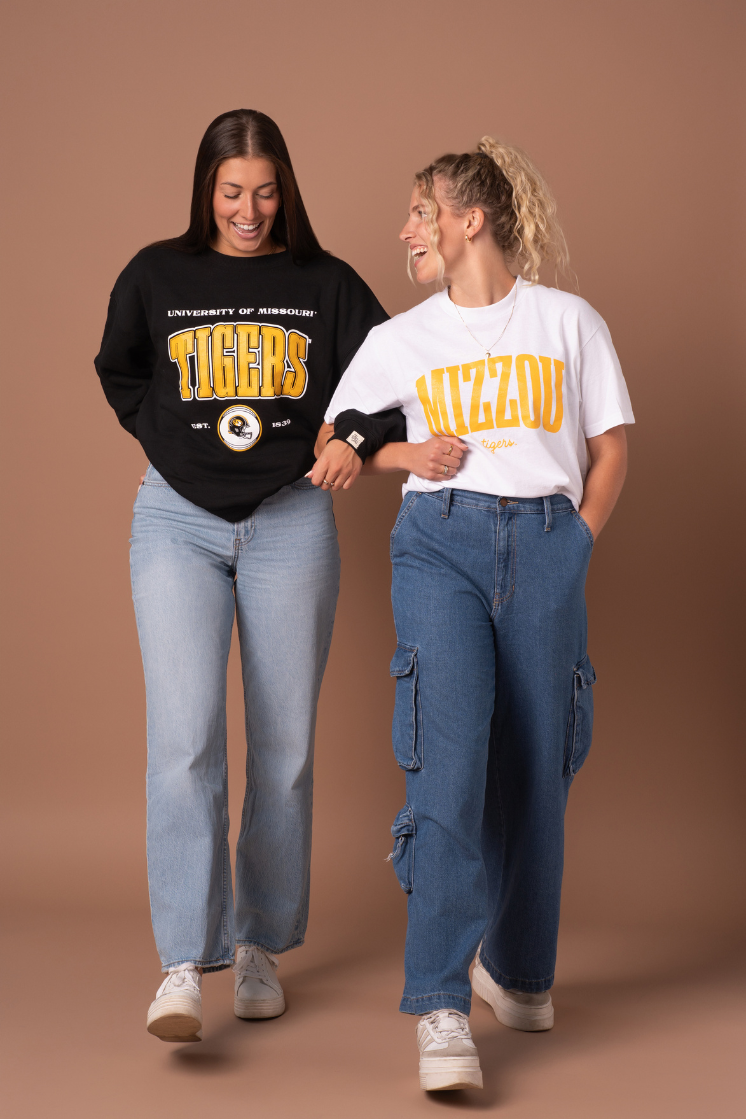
(247, 134)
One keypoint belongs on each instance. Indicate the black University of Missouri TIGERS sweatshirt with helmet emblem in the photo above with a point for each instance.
(223, 368)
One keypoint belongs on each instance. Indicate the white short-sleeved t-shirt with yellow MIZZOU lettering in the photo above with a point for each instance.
(553, 381)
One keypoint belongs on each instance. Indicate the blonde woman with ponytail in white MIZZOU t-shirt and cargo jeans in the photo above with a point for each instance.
(515, 403)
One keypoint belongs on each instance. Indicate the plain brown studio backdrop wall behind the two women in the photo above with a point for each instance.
(630, 110)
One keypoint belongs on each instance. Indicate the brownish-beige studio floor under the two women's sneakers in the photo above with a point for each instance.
(646, 1029)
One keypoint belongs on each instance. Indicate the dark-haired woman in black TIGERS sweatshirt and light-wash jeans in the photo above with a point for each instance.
(221, 354)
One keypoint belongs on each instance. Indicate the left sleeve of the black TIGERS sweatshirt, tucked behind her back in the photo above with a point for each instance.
(127, 359)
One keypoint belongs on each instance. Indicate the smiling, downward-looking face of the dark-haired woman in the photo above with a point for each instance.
(245, 202)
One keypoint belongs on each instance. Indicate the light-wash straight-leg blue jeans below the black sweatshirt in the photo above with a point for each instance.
(278, 572)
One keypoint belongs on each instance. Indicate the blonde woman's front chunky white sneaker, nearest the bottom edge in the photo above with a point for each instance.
(448, 1056)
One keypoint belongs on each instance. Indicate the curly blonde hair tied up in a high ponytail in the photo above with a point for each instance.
(521, 211)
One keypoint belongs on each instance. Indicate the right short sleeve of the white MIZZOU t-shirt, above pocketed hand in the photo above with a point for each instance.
(605, 397)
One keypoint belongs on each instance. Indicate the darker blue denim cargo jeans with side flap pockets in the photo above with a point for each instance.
(493, 719)
